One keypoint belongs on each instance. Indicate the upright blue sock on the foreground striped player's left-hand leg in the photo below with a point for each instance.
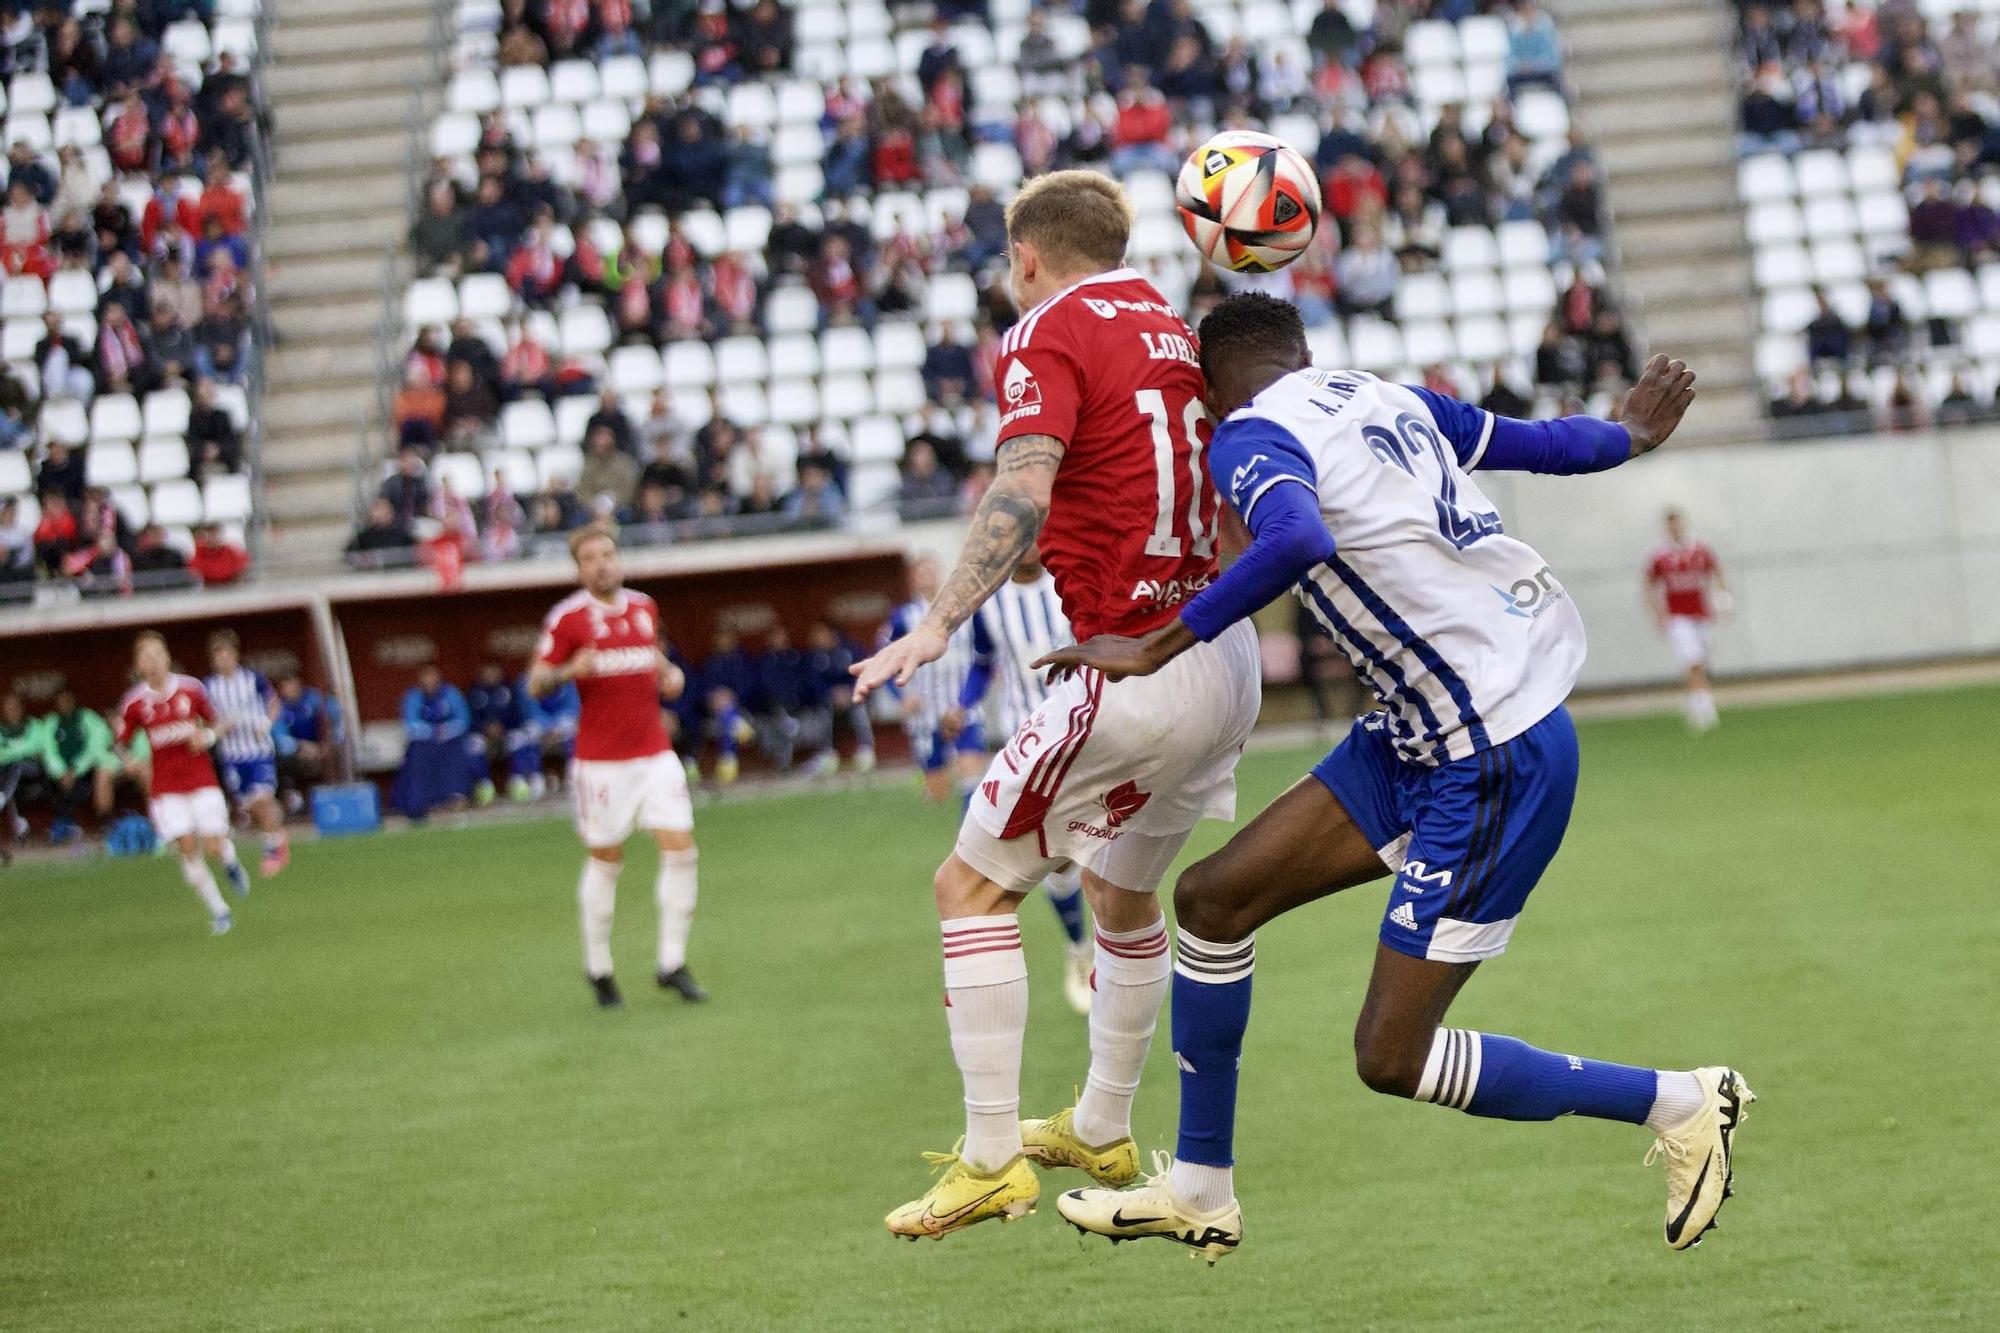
(1211, 1014)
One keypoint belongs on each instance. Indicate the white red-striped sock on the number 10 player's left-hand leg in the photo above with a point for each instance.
(987, 1010)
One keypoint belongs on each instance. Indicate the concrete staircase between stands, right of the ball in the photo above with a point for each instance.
(1657, 99)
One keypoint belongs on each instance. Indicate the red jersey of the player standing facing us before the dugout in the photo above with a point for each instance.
(621, 696)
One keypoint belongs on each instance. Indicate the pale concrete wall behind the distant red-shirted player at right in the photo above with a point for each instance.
(1839, 553)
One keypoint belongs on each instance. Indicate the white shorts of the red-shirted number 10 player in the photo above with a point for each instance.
(1115, 774)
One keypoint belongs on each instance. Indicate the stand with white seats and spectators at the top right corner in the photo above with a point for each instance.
(1873, 207)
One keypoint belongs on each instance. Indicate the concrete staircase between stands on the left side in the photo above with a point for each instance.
(343, 81)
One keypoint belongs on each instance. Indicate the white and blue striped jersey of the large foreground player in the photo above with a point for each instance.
(1461, 629)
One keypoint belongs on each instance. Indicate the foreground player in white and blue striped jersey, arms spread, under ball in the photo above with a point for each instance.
(1361, 497)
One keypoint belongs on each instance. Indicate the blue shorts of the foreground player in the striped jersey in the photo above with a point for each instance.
(1469, 840)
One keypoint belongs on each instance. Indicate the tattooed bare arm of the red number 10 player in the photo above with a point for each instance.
(1003, 529)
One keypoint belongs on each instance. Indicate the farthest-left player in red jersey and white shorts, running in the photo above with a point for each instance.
(187, 806)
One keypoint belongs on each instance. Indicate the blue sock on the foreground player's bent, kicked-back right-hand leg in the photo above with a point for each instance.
(1509, 1080)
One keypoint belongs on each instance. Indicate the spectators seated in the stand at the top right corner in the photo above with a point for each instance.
(1925, 91)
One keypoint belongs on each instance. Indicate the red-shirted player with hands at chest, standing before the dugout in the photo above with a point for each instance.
(625, 774)
